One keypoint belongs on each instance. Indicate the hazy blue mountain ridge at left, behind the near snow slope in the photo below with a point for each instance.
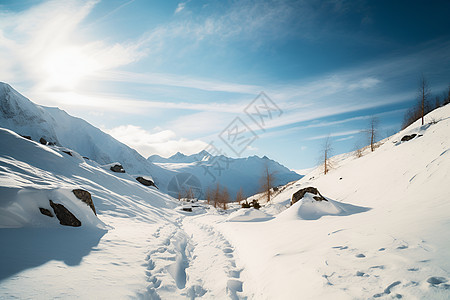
(56, 126)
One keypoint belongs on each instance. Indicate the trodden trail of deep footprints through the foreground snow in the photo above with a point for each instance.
(191, 260)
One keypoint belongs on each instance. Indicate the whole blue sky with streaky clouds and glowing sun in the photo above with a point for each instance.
(168, 76)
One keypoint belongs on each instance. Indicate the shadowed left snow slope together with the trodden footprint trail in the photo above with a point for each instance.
(141, 246)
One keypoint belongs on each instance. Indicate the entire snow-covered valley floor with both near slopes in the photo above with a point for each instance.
(383, 233)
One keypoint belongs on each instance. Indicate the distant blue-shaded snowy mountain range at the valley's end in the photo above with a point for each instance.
(233, 173)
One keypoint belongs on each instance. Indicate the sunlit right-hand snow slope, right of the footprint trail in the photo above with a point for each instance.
(384, 233)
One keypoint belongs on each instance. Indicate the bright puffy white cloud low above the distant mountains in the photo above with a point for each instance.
(164, 143)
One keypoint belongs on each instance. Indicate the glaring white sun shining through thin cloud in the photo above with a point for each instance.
(65, 67)
